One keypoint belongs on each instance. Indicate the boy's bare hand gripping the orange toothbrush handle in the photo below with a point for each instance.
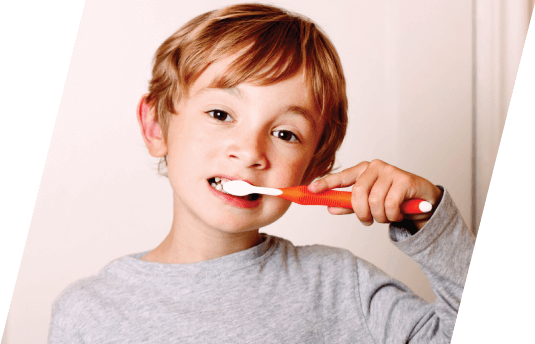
(378, 191)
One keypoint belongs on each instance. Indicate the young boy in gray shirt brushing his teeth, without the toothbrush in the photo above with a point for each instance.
(251, 92)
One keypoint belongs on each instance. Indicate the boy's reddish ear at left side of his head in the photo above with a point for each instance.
(150, 129)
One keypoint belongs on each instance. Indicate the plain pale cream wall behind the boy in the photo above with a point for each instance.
(410, 67)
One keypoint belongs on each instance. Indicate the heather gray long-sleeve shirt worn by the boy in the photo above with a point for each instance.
(274, 293)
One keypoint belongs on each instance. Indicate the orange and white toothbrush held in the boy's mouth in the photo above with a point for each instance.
(330, 198)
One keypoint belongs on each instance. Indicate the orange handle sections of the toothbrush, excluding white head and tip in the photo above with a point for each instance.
(334, 198)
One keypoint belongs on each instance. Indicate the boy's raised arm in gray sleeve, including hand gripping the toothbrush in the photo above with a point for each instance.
(440, 244)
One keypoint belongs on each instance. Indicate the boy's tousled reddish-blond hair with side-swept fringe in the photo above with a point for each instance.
(271, 45)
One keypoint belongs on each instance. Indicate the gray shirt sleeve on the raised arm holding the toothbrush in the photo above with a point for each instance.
(443, 250)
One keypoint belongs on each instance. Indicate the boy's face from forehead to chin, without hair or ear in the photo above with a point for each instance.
(265, 135)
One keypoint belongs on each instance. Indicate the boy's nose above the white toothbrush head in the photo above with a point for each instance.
(248, 150)
